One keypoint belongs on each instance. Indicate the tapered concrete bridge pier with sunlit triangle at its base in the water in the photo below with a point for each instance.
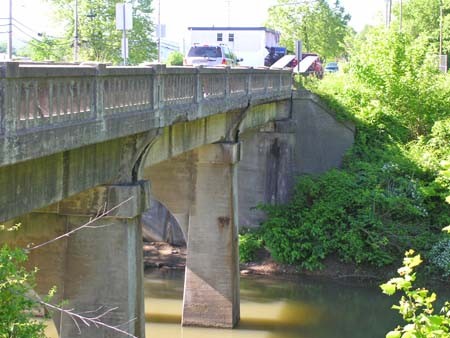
(211, 290)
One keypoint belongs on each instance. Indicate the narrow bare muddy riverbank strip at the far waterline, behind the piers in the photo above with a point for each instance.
(165, 256)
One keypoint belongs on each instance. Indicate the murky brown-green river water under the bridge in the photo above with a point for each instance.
(275, 308)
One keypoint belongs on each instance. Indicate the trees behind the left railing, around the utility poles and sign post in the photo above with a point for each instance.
(99, 40)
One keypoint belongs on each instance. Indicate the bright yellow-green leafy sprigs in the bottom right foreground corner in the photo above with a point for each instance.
(416, 305)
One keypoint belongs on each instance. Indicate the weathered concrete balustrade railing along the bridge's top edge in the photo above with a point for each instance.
(38, 98)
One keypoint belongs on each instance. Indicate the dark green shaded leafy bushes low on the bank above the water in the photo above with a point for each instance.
(354, 214)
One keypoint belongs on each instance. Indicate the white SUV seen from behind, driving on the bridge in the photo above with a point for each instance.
(210, 55)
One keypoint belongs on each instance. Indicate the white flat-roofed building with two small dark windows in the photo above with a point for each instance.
(248, 43)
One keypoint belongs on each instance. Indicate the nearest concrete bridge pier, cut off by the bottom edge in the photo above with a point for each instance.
(104, 267)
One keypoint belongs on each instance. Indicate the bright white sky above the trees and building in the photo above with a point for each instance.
(32, 16)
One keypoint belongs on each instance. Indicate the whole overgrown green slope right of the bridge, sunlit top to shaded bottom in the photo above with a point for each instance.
(389, 196)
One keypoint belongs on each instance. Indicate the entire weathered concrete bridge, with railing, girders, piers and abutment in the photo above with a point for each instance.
(207, 144)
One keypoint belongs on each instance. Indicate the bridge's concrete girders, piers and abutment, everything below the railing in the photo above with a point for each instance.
(208, 173)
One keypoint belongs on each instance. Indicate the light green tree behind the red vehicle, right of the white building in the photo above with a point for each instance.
(321, 27)
